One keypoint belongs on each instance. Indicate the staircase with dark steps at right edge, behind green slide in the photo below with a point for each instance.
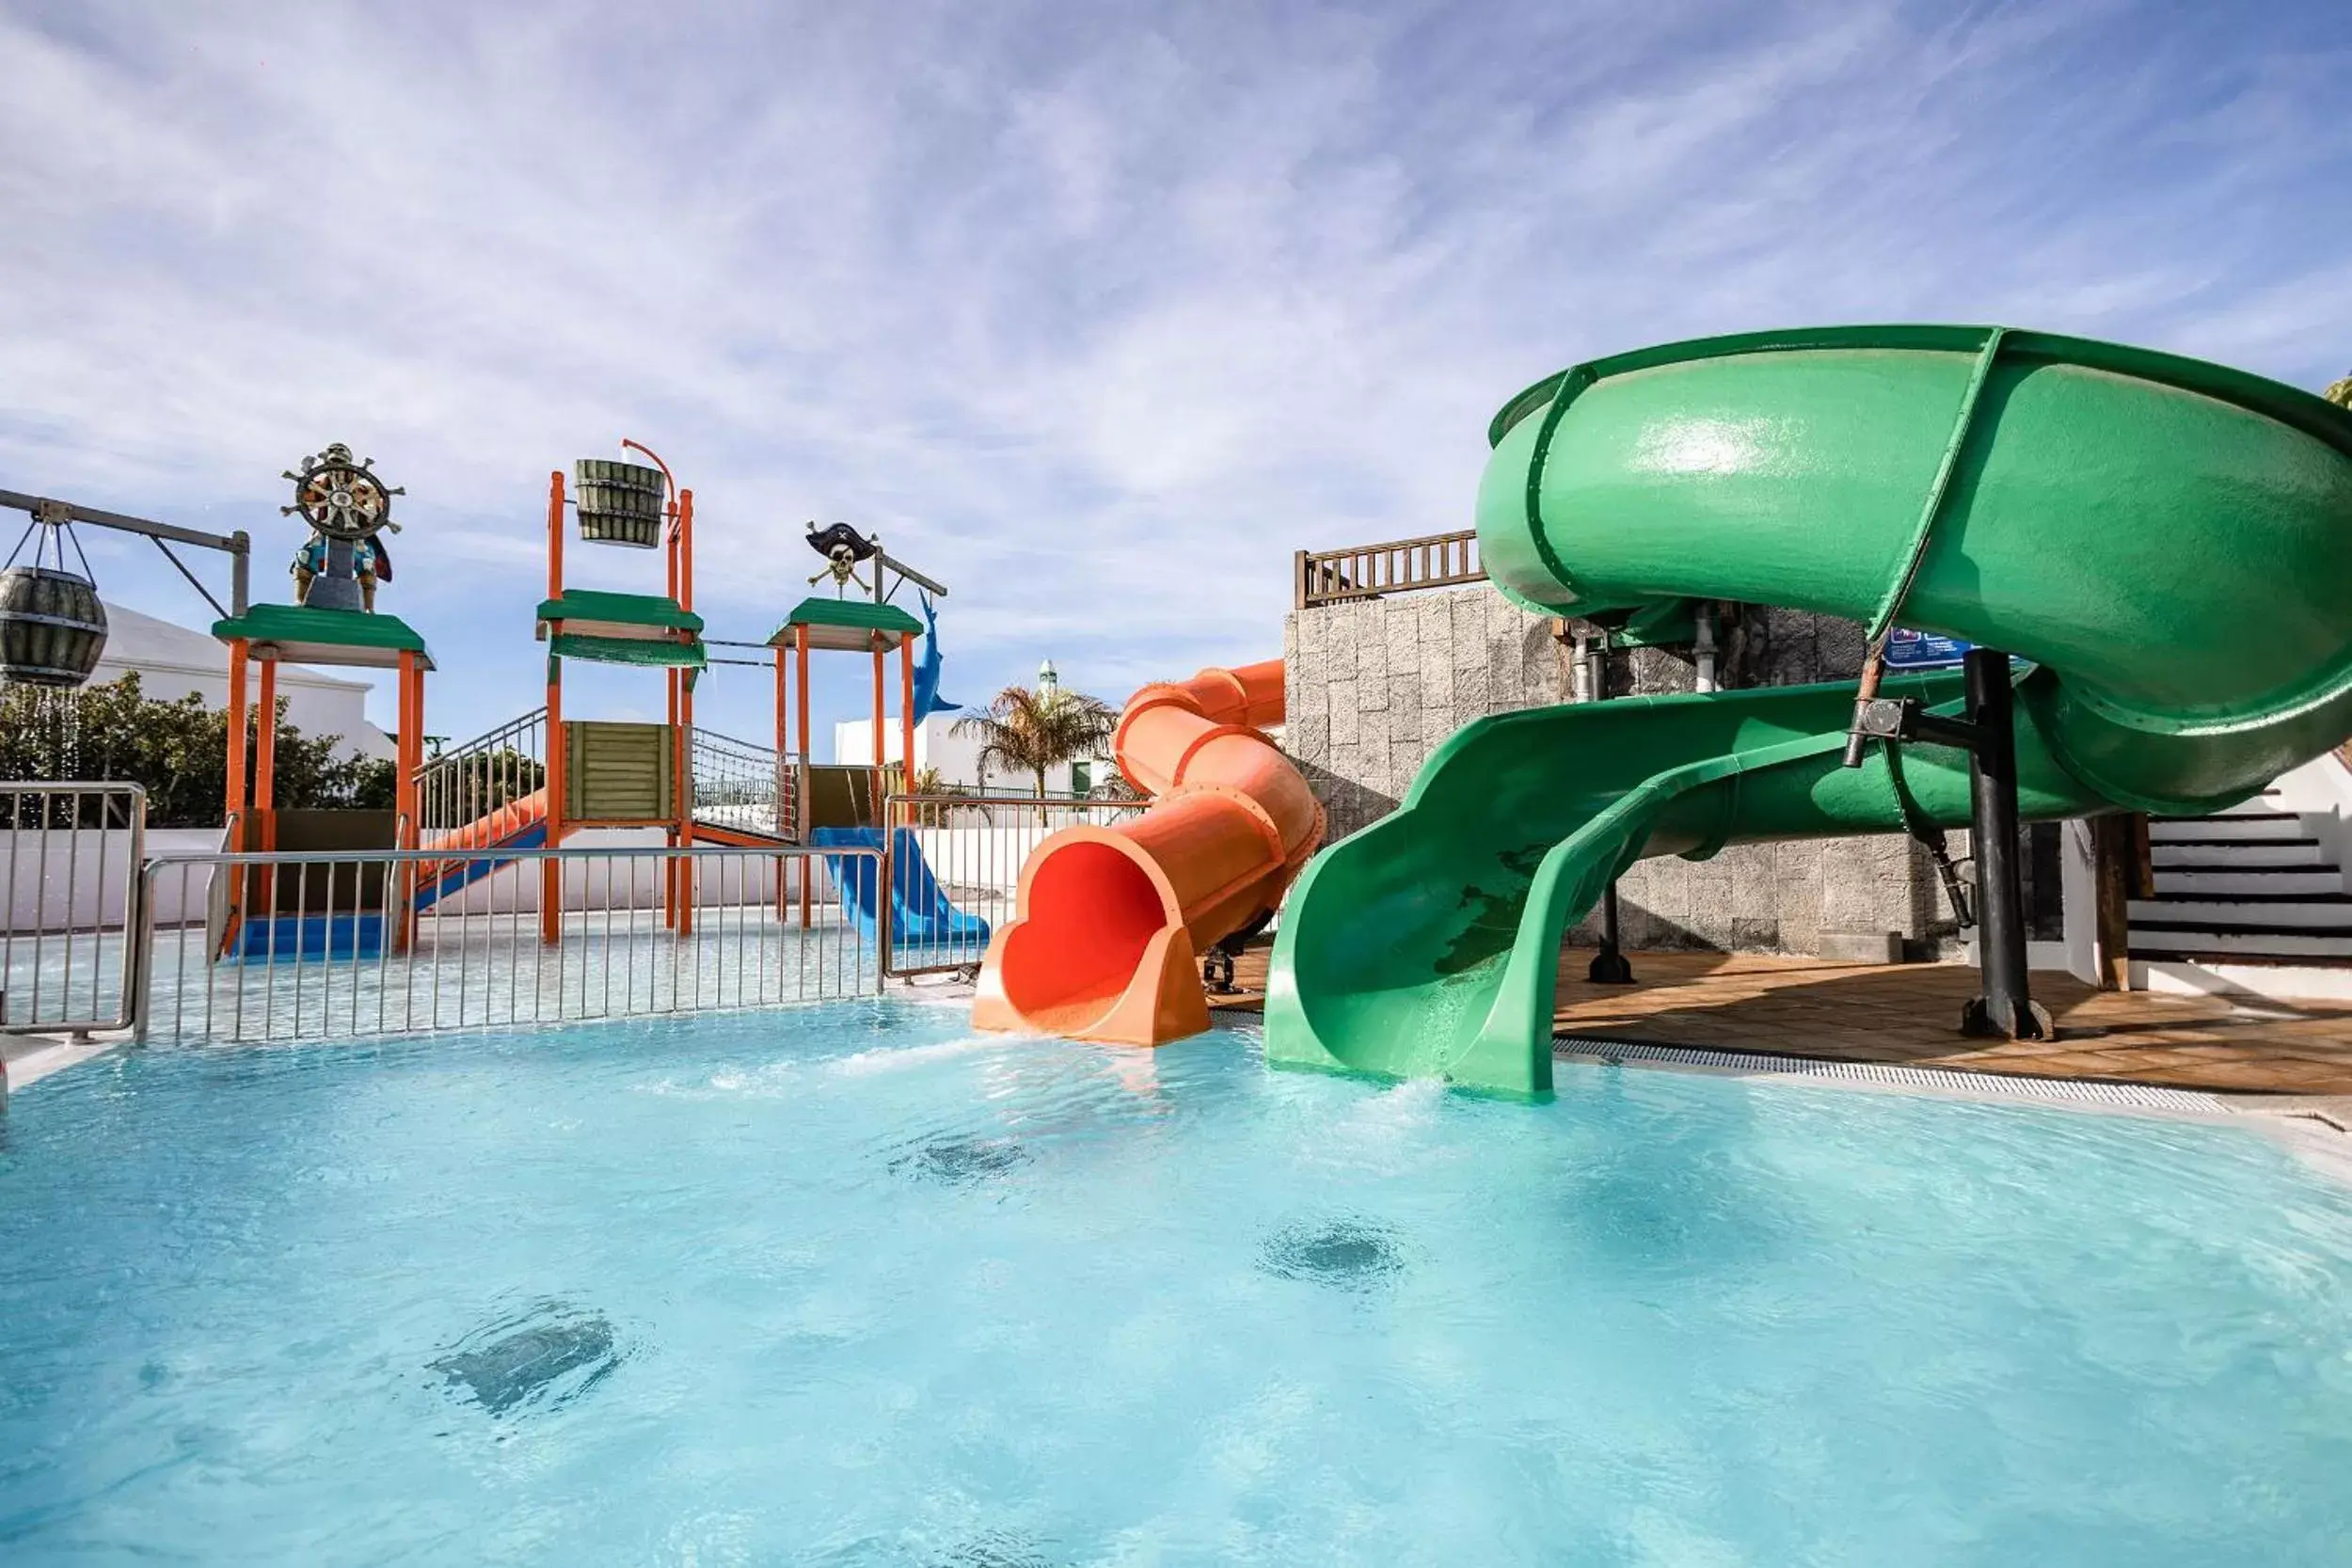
(2254, 887)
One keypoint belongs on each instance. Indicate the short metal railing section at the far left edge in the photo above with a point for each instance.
(72, 864)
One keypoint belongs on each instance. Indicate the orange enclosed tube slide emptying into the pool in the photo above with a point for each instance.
(1111, 923)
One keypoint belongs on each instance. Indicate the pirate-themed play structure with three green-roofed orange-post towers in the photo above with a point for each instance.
(474, 812)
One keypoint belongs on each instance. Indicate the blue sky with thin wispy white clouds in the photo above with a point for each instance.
(1093, 311)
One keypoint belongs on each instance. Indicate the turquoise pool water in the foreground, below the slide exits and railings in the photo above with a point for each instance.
(853, 1287)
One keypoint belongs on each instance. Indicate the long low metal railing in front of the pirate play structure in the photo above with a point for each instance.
(330, 946)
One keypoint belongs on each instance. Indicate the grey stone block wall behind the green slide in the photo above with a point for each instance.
(1372, 688)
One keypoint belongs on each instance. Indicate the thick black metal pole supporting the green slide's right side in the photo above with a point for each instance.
(2005, 1010)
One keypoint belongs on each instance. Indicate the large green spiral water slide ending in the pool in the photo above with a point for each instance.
(2167, 542)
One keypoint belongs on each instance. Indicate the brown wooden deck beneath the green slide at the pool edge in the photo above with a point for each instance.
(1909, 1012)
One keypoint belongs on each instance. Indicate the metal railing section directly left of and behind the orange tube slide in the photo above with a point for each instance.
(954, 866)
